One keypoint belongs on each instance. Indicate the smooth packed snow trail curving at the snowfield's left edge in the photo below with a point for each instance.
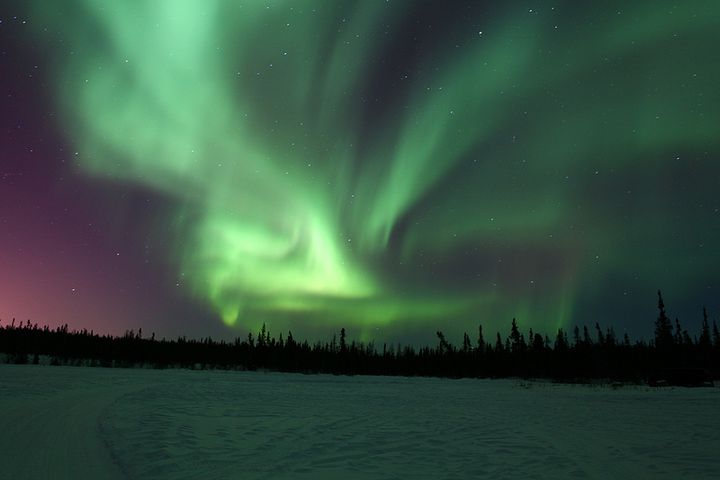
(50, 423)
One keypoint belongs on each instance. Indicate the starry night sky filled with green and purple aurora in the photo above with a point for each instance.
(392, 167)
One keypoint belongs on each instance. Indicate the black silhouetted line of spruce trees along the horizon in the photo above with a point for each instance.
(673, 356)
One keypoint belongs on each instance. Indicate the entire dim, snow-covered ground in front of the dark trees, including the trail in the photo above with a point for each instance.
(89, 423)
